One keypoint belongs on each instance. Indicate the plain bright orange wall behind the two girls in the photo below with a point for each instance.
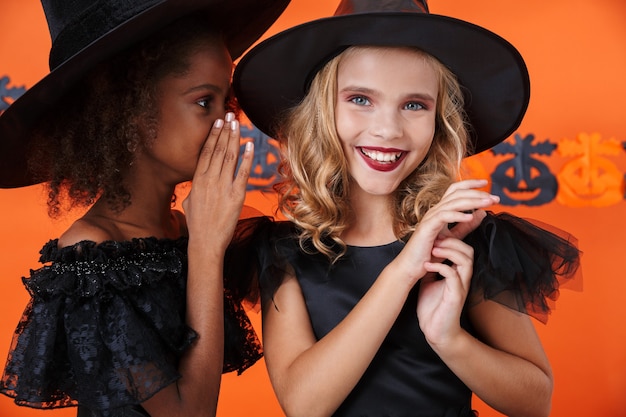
(576, 54)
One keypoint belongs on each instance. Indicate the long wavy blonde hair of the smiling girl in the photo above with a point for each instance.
(315, 185)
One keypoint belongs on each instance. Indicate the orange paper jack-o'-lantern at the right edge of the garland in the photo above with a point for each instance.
(589, 179)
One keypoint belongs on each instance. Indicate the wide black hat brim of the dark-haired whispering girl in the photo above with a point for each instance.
(243, 21)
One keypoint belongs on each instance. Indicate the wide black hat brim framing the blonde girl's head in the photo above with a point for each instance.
(274, 75)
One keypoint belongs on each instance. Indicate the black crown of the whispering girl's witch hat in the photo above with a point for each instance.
(74, 24)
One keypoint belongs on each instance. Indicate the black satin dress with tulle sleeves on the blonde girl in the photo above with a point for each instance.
(516, 264)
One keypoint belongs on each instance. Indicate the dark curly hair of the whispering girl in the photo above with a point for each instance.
(85, 146)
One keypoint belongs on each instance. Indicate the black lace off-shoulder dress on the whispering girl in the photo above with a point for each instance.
(105, 327)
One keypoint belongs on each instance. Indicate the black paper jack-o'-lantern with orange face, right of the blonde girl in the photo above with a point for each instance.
(523, 179)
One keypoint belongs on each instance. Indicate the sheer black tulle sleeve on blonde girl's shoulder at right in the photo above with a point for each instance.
(522, 264)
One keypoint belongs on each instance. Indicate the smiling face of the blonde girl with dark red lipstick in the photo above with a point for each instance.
(385, 114)
